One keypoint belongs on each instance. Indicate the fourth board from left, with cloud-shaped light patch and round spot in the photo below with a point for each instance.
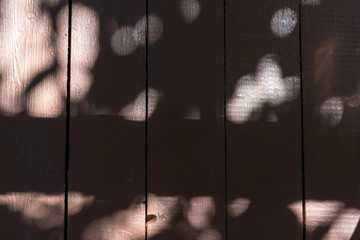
(263, 125)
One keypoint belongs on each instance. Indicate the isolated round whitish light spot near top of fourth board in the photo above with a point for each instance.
(283, 22)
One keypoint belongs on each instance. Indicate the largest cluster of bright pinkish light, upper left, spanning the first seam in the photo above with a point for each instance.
(24, 58)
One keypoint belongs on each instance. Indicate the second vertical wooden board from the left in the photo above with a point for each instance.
(107, 125)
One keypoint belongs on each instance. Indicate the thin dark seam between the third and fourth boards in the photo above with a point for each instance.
(225, 143)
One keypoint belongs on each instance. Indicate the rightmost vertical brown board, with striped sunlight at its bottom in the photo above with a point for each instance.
(330, 49)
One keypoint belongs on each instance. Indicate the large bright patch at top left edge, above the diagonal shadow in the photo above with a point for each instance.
(23, 56)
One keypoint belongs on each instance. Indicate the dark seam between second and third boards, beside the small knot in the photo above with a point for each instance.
(146, 110)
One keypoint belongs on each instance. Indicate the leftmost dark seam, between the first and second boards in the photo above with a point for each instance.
(67, 134)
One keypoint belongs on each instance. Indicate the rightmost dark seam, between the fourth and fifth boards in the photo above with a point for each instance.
(302, 130)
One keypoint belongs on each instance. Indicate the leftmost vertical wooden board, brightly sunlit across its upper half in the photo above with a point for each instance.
(32, 121)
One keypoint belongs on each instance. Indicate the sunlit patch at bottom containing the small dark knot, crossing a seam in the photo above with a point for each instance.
(130, 223)
